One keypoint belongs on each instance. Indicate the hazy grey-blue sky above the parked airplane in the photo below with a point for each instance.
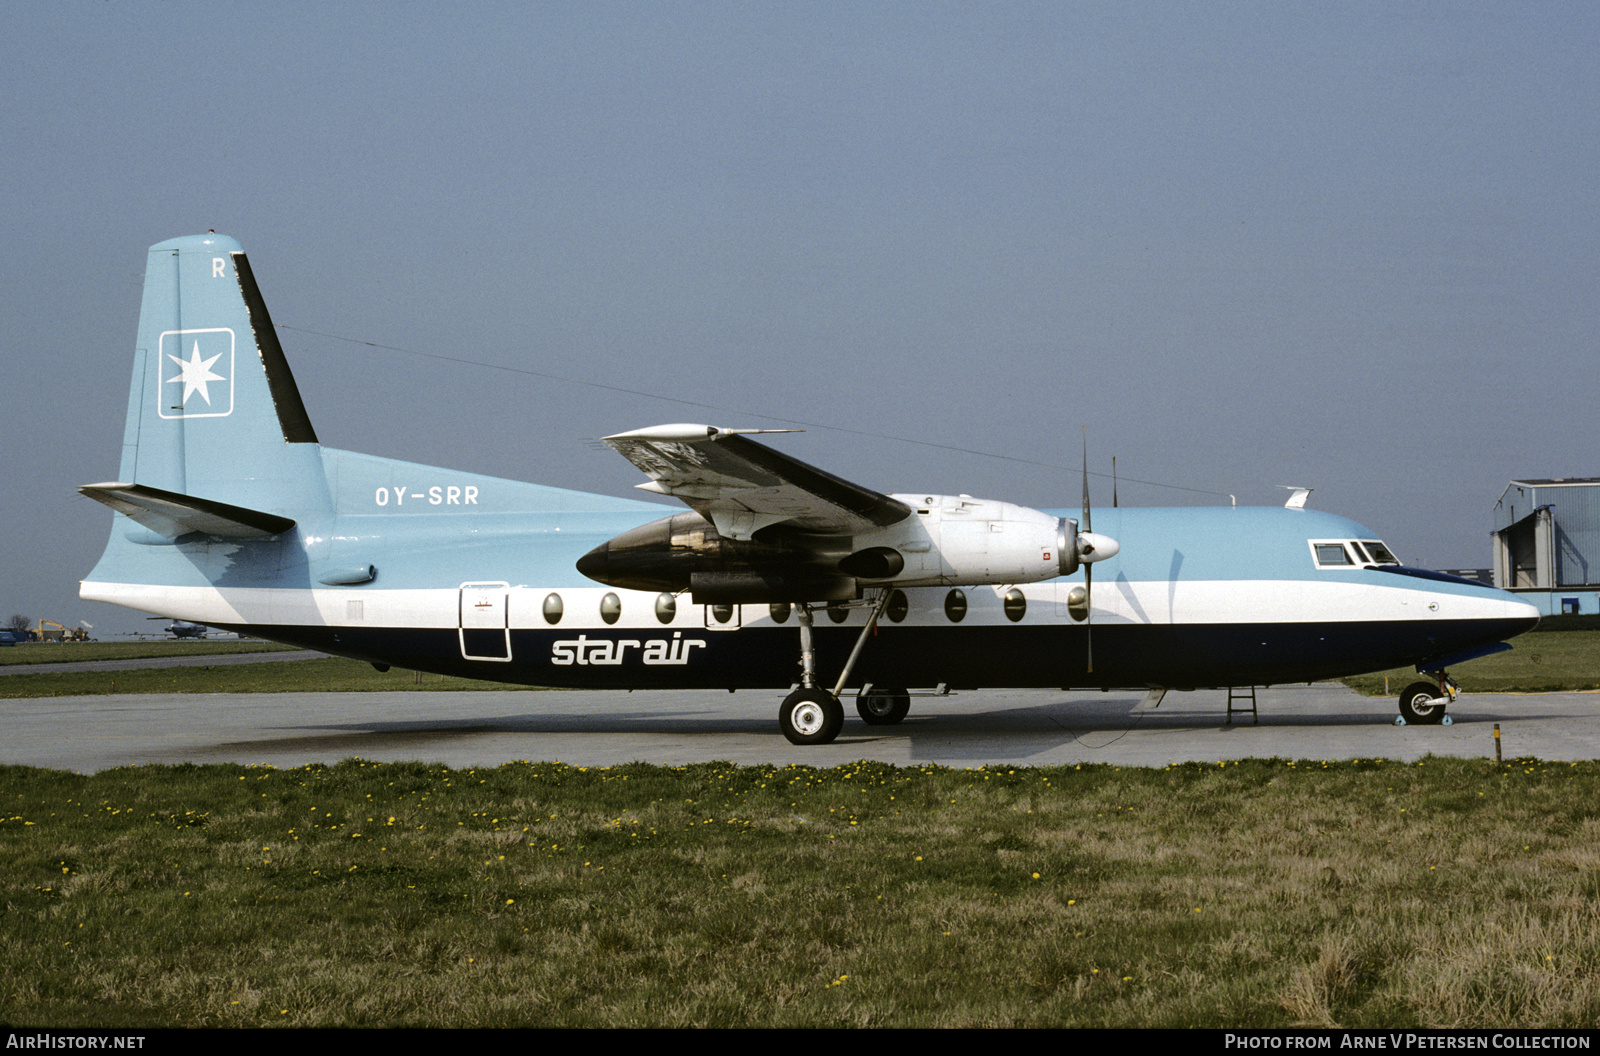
(1242, 246)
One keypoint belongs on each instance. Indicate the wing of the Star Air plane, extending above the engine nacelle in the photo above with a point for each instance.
(742, 486)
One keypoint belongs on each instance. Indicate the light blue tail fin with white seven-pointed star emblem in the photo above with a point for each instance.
(214, 410)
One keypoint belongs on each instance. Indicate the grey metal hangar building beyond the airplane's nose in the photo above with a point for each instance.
(1548, 543)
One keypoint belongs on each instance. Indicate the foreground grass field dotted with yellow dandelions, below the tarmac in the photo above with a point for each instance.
(1258, 894)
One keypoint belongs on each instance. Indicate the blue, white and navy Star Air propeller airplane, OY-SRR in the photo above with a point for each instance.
(231, 514)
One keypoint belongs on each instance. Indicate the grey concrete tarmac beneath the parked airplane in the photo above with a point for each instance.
(602, 729)
